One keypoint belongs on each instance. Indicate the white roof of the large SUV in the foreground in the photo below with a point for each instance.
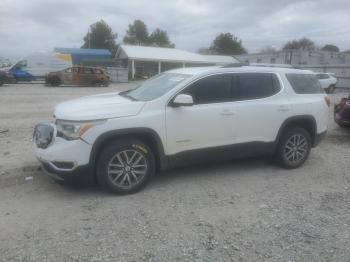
(242, 69)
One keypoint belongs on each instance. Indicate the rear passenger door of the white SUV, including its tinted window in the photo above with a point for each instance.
(261, 108)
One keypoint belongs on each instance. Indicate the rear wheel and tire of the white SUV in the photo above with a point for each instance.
(294, 147)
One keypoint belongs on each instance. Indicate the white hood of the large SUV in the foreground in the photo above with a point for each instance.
(103, 106)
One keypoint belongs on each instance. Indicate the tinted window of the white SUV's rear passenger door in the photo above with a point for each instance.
(257, 85)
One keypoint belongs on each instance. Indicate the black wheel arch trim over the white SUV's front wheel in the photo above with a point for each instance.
(145, 135)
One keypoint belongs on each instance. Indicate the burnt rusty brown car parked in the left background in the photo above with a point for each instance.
(78, 75)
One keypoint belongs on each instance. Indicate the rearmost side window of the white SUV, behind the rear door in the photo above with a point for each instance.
(304, 83)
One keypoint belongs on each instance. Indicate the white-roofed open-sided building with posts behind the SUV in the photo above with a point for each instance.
(146, 61)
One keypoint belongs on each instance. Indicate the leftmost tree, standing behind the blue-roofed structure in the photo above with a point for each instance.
(100, 36)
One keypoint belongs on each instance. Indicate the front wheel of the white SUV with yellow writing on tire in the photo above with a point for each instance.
(125, 167)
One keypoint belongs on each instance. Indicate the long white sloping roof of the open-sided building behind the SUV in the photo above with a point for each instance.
(149, 53)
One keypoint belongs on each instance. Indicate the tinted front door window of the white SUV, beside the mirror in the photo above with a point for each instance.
(212, 89)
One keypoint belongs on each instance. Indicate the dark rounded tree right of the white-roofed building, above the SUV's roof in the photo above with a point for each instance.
(227, 44)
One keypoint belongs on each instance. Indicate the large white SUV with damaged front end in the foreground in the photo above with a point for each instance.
(184, 116)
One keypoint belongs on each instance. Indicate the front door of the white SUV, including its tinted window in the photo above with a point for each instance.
(209, 122)
